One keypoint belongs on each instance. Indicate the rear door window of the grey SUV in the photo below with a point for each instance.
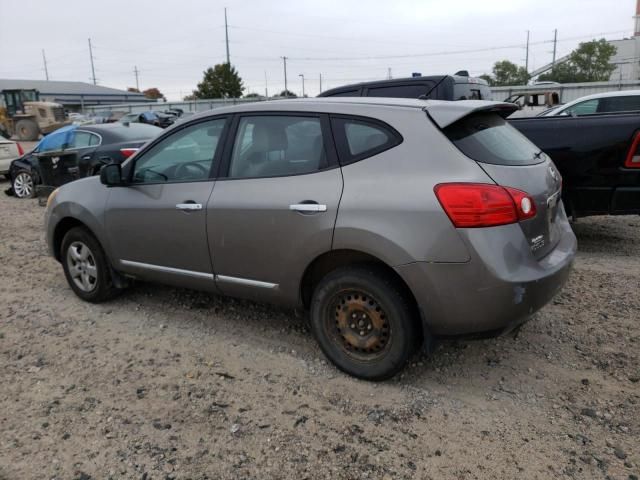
(268, 146)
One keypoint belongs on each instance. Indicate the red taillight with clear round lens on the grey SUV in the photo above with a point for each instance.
(473, 205)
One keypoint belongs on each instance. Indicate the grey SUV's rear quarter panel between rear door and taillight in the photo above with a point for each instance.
(388, 208)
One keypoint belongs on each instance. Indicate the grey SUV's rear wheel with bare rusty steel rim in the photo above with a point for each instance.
(386, 325)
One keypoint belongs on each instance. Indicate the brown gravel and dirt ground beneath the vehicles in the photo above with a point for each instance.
(166, 383)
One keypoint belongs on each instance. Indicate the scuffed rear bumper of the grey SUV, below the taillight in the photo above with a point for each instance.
(500, 287)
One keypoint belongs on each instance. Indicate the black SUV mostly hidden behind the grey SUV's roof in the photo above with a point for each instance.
(438, 87)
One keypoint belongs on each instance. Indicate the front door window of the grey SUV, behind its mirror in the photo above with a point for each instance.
(186, 155)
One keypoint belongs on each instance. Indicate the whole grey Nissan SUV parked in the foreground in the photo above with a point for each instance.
(392, 221)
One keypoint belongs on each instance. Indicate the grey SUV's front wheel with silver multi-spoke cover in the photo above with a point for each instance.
(98, 289)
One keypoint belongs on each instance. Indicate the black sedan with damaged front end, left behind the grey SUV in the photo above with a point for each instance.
(85, 149)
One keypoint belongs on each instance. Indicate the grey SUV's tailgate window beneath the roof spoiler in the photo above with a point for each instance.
(488, 138)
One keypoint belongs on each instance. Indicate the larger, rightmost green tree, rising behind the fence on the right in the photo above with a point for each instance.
(590, 62)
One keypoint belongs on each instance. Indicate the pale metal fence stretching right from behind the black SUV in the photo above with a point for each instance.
(567, 91)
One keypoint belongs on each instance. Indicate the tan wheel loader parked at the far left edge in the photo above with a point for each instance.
(24, 115)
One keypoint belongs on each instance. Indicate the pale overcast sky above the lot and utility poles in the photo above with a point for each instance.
(172, 42)
